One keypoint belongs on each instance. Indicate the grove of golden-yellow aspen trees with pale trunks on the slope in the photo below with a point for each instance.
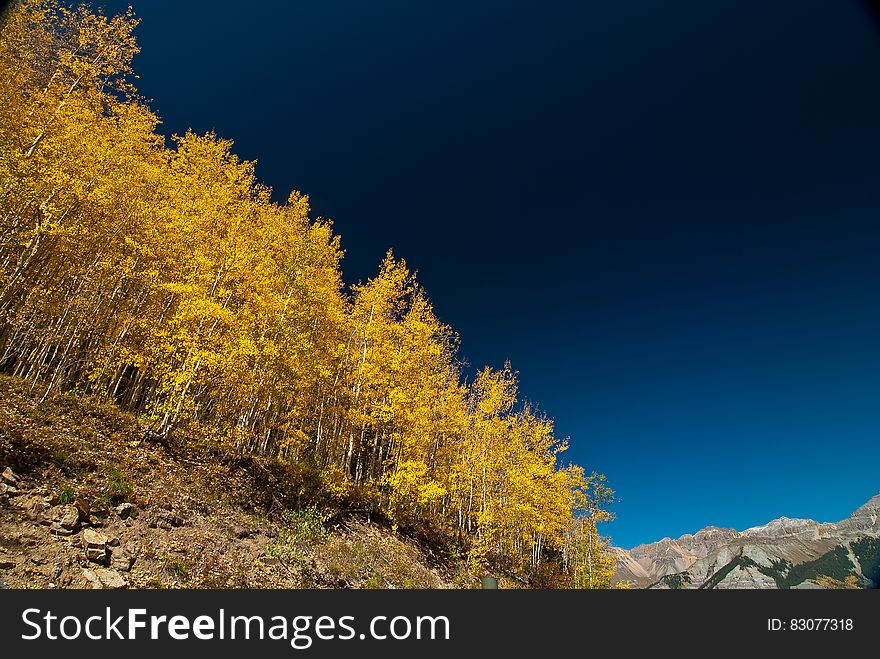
(164, 277)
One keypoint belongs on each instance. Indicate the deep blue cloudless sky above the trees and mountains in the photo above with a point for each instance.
(664, 213)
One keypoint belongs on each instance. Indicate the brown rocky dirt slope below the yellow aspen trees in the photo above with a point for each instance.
(87, 500)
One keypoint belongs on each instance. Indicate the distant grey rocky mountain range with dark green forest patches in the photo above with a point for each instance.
(785, 553)
